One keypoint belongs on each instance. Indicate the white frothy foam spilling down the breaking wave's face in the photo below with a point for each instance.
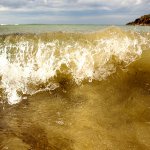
(23, 70)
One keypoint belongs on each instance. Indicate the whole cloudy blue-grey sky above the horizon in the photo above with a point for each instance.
(72, 11)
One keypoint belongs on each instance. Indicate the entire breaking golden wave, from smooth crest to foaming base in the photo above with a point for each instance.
(30, 63)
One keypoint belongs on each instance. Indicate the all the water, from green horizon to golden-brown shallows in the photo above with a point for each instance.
(74, 87)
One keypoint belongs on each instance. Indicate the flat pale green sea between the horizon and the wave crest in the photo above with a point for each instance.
(7, 29)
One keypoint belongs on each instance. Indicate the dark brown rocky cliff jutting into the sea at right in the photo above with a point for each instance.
(144, 20)
